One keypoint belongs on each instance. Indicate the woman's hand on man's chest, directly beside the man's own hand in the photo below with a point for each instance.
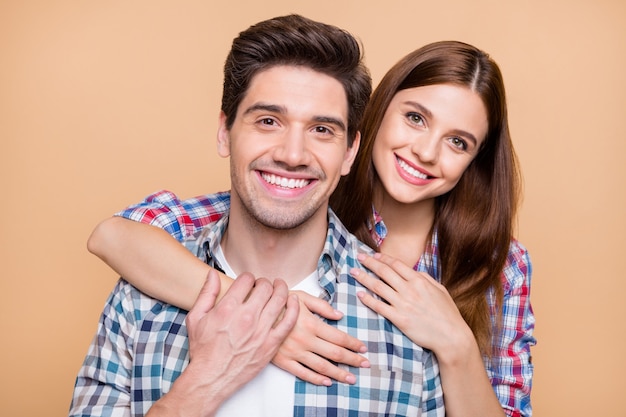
(312, 346)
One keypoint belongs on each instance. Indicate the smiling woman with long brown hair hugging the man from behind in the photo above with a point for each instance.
(437, 163)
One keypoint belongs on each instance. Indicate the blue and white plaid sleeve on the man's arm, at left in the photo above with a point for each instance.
(103, 385)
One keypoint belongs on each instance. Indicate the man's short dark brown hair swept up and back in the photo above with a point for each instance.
(296, 40)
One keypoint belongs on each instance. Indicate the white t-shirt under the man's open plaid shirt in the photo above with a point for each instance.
(271, 392)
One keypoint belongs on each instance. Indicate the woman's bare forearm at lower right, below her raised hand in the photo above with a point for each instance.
(466, 386)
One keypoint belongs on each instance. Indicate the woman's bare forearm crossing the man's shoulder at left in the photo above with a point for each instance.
(151, 260)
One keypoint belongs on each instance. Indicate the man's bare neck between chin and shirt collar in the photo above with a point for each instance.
(288, 254)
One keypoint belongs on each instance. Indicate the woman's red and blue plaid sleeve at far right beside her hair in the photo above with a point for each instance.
(510, 369)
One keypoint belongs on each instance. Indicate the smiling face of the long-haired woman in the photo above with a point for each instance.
(427, 139)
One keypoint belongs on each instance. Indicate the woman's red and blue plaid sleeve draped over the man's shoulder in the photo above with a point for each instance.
(180, 218)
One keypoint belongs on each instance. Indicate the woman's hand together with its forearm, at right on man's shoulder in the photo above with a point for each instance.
(425, 312)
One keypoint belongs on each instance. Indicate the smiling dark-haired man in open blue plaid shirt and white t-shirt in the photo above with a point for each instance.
(294, 93)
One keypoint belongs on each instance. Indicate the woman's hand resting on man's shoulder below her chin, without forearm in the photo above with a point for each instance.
(418, 305)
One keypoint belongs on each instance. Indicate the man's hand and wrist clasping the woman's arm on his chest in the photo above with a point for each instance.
(229, 343)
